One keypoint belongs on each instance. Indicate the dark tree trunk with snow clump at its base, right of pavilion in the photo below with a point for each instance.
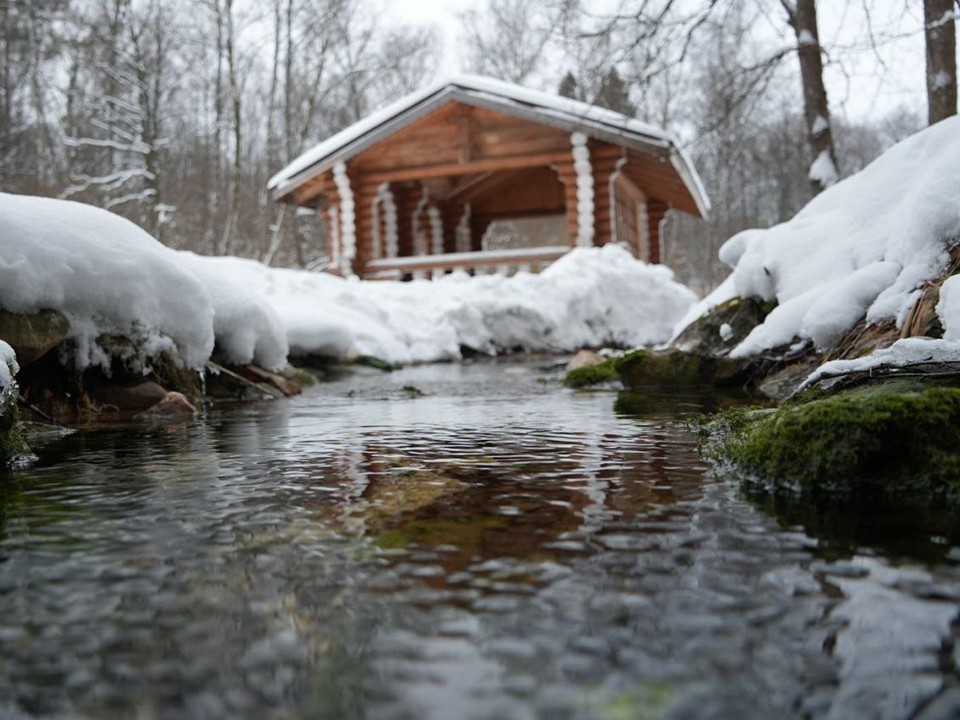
(803, 18)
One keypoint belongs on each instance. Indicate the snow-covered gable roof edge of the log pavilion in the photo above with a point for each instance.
(534, 105)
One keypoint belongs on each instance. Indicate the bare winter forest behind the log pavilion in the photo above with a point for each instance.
(174, 113)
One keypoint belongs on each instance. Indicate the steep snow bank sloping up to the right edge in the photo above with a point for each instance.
(863, 246)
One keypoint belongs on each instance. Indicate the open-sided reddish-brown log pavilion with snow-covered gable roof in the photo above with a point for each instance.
(427, 184)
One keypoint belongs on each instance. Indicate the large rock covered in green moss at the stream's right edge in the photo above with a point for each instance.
(887, 439)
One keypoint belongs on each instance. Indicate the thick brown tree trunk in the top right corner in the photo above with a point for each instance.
(941, 40)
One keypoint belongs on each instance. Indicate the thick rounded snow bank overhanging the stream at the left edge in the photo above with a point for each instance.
(107, 276)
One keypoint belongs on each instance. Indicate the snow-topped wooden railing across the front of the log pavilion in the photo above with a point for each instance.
(486, 262)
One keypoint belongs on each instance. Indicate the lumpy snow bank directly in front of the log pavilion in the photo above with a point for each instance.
(590, 297)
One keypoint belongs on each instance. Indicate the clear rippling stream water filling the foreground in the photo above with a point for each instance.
(454, 541)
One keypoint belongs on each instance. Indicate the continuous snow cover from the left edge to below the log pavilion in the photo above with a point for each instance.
(109, 276)
